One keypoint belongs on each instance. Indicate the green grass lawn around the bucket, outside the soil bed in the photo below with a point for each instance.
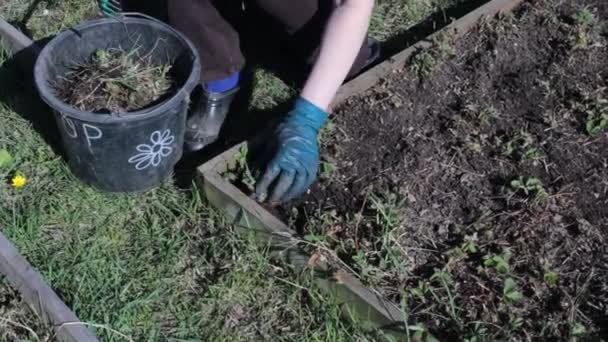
(160, 265)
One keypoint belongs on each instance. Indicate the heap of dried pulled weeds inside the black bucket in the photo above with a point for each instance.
(115, 81)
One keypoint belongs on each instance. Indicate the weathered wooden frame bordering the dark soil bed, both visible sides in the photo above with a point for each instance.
(361, 304)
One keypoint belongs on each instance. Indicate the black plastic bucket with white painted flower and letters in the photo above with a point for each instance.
(129, 152)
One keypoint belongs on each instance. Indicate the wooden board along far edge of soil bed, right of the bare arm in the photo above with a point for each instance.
(458, 28)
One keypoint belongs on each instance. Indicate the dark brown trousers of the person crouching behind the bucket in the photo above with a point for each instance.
(202, 21)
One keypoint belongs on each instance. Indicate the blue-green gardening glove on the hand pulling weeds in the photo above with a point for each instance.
(296, 161)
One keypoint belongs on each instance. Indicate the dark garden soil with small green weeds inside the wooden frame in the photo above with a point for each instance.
(476, 189)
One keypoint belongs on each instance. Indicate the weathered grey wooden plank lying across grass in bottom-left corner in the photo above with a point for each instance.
(40, 296)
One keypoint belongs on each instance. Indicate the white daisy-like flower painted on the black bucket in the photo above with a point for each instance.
(153, 154)
